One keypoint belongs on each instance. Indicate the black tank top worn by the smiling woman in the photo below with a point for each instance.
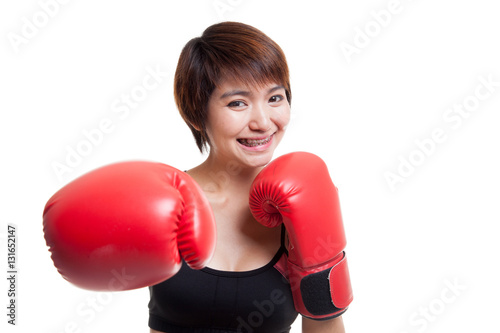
(213, 301)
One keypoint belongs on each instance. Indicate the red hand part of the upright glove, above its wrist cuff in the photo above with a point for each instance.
(299, 186)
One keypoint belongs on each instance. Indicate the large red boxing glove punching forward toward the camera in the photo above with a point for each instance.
(127, 225)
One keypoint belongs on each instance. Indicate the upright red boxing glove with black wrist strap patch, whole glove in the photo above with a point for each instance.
(296, 189)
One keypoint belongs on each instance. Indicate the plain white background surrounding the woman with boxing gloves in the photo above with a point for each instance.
(361, 113)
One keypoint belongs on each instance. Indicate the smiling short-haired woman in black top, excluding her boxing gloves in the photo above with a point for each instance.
(232, 88)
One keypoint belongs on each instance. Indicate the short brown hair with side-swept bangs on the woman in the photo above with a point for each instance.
(227, 49)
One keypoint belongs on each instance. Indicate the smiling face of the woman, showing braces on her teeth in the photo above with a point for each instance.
(246, 123)
